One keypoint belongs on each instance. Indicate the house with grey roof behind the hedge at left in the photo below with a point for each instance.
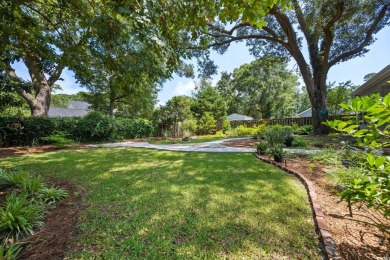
(74, 109)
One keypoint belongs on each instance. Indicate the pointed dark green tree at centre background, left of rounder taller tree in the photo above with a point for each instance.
(208, 100)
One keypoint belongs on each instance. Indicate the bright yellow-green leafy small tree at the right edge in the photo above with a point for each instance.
(374, 186)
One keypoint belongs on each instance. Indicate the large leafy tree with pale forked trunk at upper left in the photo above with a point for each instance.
(48, 36)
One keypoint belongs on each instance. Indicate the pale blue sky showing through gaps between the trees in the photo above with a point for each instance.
(376, 59)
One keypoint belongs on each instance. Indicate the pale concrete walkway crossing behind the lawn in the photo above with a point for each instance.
(208, 147)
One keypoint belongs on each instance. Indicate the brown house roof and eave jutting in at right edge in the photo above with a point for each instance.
(377, 84)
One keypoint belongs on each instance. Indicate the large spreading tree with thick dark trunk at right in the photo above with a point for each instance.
(332, 32)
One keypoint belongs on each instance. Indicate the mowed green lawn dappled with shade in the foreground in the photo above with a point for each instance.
(147, 204)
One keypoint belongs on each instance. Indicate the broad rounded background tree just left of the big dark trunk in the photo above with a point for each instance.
(265, 88)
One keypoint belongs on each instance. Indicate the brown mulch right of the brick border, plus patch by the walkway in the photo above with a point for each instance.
(354, 240)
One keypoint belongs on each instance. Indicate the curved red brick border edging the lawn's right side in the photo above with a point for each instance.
(322, 227)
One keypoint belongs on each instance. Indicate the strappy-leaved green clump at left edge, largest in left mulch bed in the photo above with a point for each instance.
(19, 216)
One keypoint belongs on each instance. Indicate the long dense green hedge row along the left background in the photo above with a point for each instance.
(15, 131)
